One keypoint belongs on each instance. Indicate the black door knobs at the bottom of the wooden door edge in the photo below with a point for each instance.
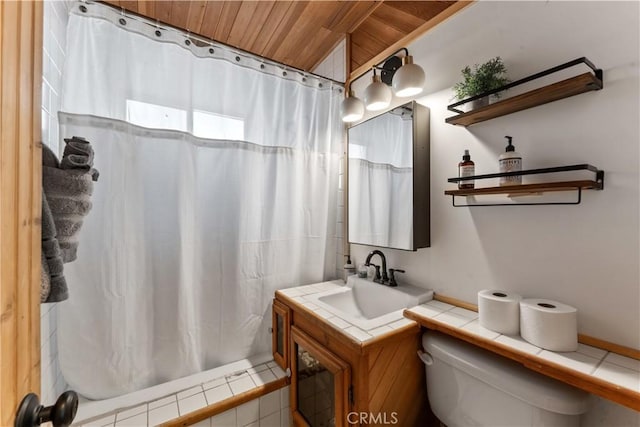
(31, 413)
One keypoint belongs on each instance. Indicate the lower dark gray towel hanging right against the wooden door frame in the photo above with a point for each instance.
(53, 286)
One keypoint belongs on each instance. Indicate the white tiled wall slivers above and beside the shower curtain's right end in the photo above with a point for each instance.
(334, 67)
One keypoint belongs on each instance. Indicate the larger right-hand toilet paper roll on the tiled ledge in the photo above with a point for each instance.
(549, 324)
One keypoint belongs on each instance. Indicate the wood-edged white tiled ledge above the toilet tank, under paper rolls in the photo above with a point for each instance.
(598, 371)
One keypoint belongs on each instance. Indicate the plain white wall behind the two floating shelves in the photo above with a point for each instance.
(586, 255)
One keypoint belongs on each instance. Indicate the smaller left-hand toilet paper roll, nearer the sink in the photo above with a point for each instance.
(499, 311)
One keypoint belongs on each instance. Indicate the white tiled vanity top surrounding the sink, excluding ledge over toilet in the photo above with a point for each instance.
(301, 294)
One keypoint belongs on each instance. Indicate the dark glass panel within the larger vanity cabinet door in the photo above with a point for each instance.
(315, 391)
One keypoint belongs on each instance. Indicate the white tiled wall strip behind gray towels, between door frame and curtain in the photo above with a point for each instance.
(54, 42)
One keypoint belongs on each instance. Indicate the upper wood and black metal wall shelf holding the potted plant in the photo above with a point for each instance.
(573, 86)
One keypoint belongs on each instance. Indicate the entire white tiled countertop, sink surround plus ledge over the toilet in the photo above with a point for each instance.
(598, 371)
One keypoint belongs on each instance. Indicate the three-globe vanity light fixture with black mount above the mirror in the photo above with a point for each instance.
(405, 77)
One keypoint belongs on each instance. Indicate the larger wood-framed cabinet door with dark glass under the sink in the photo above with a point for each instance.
(319, 385)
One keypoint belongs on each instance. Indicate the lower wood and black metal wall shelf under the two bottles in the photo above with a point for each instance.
(531, 189)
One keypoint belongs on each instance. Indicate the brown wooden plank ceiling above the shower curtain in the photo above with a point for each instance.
(297, 33)
